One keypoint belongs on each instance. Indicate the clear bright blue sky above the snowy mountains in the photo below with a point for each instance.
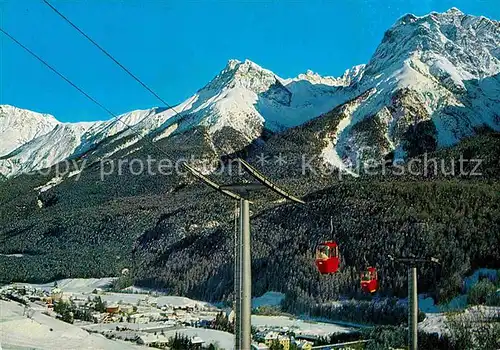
(176, 47)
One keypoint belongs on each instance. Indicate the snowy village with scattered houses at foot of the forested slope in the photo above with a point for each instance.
(138, 318)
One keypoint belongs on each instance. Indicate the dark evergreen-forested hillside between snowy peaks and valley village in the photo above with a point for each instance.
(175, 233)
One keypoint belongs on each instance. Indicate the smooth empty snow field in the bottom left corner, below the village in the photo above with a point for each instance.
(44, 332)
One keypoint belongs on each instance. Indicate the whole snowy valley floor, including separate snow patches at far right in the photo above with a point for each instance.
(158, 316)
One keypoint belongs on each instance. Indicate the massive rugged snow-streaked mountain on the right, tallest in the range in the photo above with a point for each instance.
(434, 77)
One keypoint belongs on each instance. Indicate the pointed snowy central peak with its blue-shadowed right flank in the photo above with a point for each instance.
(246, 97)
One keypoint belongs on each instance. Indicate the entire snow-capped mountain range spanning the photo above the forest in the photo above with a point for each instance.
(432, 81)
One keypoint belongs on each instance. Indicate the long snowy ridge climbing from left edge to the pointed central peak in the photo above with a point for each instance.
(243, 98)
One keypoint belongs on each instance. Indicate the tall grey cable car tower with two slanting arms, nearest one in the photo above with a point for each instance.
(243, 263)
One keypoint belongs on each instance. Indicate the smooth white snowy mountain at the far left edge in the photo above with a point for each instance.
(18, 126)
